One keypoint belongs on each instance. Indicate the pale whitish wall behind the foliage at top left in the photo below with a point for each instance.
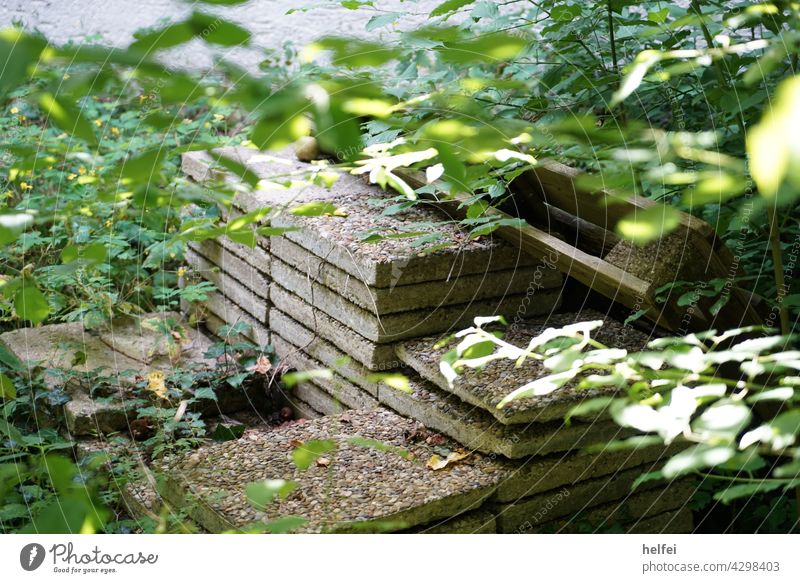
(115, 21)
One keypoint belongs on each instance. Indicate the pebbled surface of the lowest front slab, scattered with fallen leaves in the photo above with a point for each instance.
(360, 489)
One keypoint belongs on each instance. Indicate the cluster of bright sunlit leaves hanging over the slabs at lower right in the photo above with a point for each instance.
(675, 391)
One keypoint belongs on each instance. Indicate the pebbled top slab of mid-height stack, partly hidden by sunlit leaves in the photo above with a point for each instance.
(487, 387)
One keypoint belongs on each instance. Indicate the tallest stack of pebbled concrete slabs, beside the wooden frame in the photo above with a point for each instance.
(361, 278)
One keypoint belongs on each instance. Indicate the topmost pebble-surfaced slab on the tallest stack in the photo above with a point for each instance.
(391, 261)
